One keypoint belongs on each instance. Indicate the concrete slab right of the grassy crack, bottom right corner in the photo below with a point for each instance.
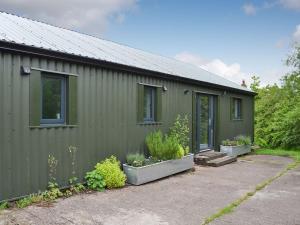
(277, 204)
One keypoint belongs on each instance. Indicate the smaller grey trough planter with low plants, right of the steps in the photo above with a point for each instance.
(240, 145)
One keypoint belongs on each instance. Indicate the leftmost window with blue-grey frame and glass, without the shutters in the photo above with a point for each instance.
(53, 99)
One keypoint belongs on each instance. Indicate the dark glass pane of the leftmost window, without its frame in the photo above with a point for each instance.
(52, 98)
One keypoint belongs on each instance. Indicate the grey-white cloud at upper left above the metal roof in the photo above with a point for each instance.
(90, 16)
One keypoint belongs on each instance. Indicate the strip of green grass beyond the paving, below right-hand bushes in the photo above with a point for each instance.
(293, 153)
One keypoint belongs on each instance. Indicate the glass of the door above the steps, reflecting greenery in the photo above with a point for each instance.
(205, 122)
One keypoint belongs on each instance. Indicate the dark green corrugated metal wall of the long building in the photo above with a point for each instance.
(107, 122)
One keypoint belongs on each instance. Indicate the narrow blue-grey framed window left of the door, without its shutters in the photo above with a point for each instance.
(149, 103)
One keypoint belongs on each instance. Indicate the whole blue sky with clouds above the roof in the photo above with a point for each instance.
(235, 39)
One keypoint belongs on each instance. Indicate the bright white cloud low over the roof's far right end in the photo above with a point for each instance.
(229, 71)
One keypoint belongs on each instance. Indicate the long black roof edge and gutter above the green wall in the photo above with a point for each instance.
(31, 50)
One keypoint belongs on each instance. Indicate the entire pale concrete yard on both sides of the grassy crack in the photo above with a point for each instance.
(186, 198)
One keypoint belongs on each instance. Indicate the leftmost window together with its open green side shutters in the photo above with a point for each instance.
(53, 98)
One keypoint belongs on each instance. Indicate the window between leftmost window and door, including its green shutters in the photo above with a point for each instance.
(149, 104)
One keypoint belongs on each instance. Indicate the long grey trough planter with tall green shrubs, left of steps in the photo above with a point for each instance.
(169, 154)
